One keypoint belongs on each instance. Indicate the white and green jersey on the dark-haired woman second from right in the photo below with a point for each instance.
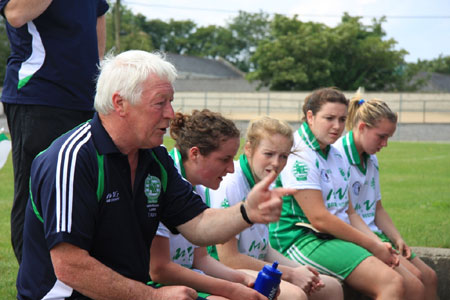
(309, 168)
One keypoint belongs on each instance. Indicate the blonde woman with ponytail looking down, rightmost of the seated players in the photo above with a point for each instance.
(370, 124)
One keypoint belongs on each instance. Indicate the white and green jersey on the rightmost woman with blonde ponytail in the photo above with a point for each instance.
(364, 180)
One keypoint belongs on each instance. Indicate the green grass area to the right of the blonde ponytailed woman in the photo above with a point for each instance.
(415, 188)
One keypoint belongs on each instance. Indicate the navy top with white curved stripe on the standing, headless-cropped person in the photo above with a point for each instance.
(54, 57)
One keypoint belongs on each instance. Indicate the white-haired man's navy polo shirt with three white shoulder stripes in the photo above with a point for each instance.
(118, 229)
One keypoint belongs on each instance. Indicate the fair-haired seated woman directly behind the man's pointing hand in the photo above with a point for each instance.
(267, 147)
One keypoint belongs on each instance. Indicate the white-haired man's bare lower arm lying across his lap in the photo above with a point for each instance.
(77, 269)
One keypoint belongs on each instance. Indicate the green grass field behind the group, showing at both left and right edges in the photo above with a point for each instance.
(415, 186)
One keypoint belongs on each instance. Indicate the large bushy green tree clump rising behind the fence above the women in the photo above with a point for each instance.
(305, 56)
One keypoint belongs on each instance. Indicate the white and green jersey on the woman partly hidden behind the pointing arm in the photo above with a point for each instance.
(234, 188)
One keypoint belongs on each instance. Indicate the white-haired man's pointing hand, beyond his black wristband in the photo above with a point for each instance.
(264, 205)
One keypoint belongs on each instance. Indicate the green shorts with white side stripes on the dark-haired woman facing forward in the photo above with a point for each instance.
(332, 257)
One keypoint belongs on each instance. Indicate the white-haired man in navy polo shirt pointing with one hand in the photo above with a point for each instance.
(98, 193)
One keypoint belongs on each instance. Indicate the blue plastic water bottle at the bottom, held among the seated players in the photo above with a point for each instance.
(268, 280)
